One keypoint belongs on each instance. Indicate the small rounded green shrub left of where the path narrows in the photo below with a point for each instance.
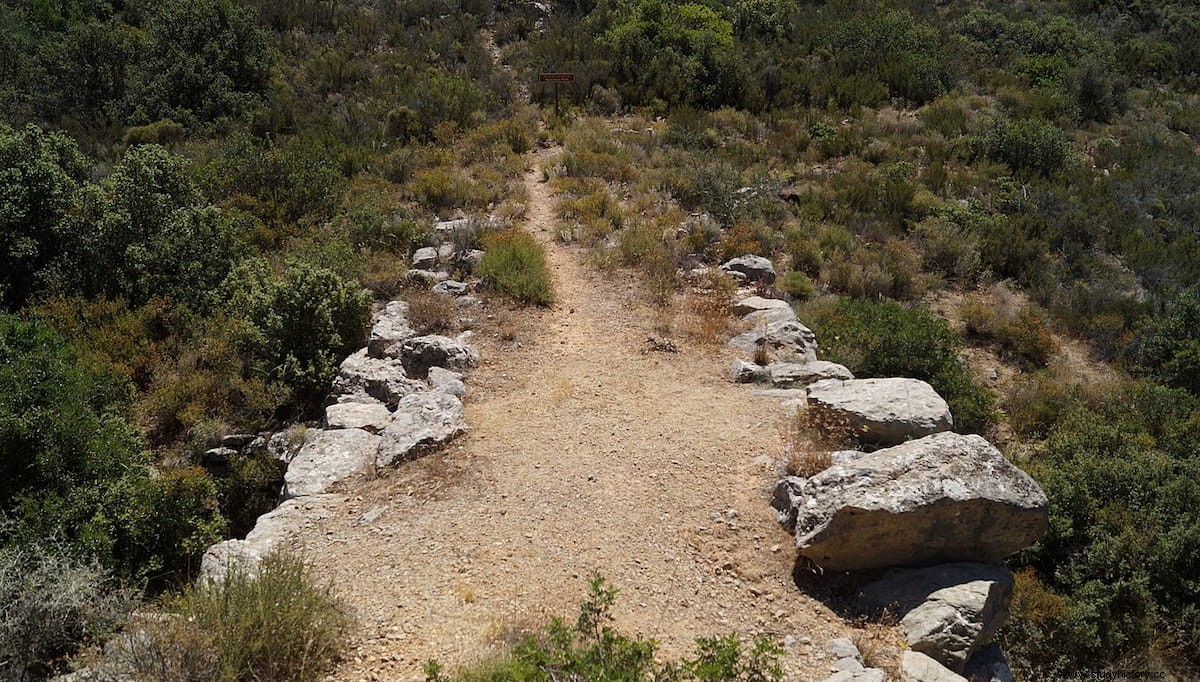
(515, 267)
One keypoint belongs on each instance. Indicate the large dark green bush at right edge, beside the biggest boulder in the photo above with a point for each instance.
(1119, 563)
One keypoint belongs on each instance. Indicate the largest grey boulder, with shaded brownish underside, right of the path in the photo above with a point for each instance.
(941, 499)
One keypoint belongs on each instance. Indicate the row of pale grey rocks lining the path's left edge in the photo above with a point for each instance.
(391, 402)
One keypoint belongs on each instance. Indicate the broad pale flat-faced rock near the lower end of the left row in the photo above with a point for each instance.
(327, 458)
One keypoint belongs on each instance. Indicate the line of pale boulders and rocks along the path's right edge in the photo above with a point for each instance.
(937, 511)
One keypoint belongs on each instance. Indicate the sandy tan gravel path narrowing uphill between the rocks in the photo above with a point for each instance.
(586, 454)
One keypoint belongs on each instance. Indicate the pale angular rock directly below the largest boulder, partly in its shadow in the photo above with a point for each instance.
(950, 612)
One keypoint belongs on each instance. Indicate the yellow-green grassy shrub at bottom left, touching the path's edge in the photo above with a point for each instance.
(279, 625)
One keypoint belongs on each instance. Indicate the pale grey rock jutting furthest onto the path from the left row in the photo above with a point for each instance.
(421, 421)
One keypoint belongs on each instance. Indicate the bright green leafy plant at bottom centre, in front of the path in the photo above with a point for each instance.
(592, 650)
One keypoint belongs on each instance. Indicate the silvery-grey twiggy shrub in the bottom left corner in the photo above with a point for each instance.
(55, 601)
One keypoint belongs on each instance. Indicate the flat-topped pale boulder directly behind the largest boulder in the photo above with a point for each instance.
(879, 412)
